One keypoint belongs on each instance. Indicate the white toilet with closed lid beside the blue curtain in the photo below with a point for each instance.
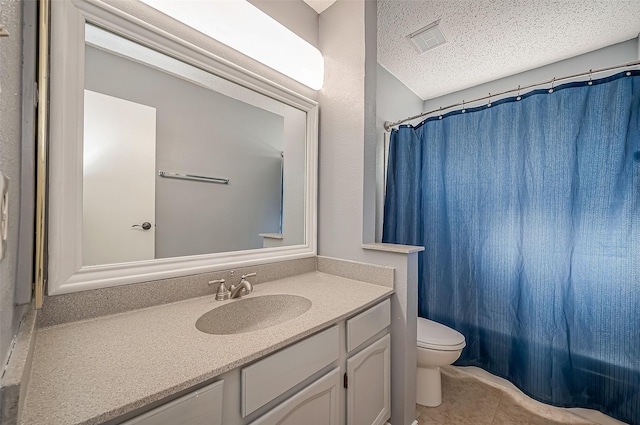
(438, 345)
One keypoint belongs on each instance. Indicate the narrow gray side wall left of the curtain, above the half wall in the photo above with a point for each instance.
(394, 101)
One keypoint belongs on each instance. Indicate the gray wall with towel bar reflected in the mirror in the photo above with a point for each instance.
(205, 133)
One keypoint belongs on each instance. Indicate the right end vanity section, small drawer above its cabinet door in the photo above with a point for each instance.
(368, 374)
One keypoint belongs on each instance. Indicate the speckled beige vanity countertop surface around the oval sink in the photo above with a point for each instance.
(91, 371)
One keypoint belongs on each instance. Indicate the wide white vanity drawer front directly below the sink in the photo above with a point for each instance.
(270, 377)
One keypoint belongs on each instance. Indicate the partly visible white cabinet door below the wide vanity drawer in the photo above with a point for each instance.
(317, 404)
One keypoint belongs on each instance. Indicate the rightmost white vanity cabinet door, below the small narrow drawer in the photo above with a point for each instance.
(368, 385)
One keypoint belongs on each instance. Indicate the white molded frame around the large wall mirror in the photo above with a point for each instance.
(65, 271)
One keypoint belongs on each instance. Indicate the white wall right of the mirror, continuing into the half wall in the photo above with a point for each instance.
(347, 178)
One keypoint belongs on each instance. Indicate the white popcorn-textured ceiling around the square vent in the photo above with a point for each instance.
(491, 39)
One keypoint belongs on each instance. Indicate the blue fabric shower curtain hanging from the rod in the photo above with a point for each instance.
(529, 212)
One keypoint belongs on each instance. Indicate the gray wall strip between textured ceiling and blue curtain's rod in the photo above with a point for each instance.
(609, 56)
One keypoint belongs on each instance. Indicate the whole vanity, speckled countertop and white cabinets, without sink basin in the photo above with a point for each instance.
(151, 365)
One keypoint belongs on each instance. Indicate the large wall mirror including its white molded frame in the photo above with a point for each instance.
(165, 160)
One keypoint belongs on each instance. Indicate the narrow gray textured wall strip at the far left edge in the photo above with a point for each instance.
(10, 145)
